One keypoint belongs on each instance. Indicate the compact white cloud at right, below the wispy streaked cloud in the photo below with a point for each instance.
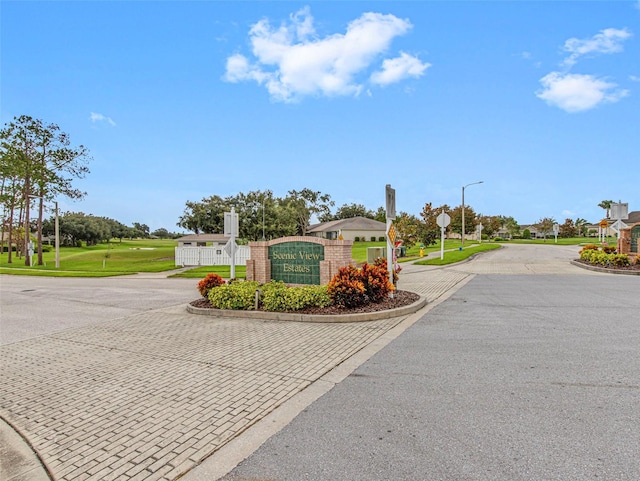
(576, 92)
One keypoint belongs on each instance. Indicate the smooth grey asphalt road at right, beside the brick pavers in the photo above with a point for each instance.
(515, 377)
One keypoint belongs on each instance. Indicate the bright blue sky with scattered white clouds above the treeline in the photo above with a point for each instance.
(178, 101)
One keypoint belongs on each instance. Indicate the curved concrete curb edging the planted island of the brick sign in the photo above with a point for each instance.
(288, 316)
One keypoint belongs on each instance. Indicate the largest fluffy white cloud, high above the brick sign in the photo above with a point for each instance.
(291, 61)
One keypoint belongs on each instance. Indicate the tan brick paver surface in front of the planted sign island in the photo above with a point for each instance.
(151, 395)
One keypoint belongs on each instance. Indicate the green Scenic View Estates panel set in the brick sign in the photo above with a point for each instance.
(296, 262)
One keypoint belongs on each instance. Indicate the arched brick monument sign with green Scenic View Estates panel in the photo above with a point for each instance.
(298, 260)
